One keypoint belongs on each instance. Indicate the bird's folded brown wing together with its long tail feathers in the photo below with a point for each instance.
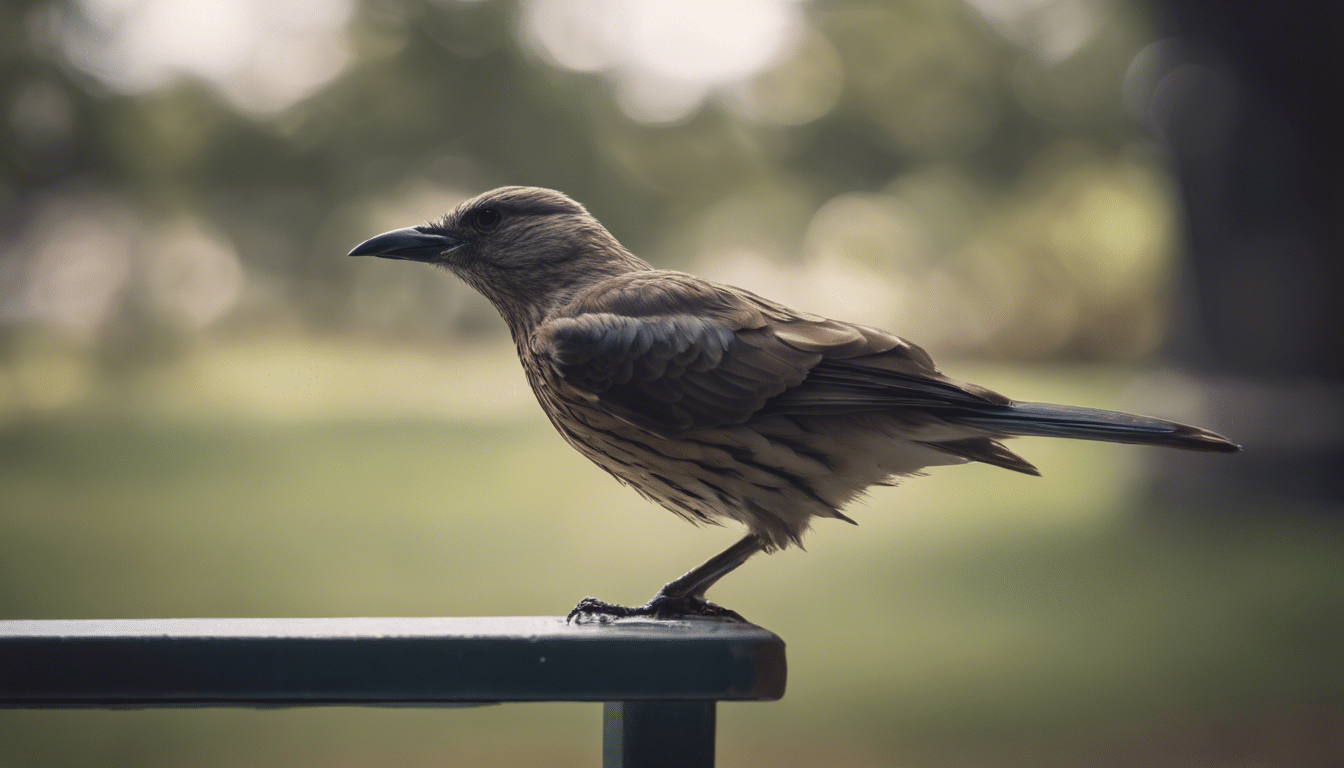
(671, 353)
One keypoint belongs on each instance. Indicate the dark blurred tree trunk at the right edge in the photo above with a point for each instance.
(1247, 98)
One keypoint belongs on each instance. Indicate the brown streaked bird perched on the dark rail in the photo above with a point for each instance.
(717, 404)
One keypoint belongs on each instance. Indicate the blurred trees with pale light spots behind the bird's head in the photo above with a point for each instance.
(1015, 212)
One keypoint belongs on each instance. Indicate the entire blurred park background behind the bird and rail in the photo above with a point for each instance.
(206, 410)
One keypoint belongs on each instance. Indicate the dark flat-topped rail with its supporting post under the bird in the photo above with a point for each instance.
(661, 681)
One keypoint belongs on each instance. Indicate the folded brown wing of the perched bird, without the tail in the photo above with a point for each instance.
(669, 352)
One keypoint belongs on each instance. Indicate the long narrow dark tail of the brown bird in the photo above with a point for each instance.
(1050, 420)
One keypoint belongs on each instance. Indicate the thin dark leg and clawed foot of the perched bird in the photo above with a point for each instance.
(685, 595)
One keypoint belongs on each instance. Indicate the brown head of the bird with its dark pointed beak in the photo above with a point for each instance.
(523, 248)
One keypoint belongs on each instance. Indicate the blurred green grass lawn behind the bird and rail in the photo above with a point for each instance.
(971, 611)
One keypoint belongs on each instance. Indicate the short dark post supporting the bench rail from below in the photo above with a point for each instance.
(658, 734)
